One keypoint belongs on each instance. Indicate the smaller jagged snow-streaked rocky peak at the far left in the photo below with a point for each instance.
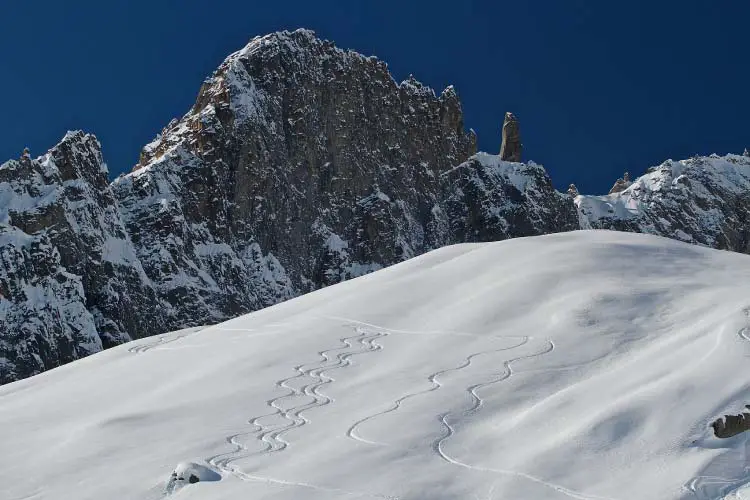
(62, 228)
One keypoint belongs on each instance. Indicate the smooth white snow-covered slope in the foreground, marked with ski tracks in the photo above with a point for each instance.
(581, 365)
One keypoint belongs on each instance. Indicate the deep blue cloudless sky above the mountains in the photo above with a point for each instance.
(599, 86)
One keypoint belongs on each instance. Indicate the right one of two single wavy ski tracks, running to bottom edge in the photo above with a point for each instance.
(478, 402)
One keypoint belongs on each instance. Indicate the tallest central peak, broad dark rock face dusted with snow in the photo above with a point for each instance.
(300, 165)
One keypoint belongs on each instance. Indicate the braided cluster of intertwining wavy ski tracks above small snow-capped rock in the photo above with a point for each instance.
(272, 435)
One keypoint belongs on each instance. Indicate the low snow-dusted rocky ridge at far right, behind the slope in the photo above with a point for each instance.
(702, 200)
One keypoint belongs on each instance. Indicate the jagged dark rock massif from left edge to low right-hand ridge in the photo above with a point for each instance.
(300, 165)
